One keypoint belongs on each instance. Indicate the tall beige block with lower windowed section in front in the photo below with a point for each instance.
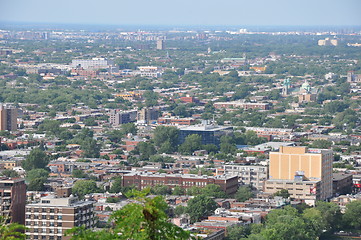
(305, 173)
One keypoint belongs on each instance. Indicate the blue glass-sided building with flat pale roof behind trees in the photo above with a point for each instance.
(211, 134)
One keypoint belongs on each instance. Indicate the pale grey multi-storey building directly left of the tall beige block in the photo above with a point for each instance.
(252, 175)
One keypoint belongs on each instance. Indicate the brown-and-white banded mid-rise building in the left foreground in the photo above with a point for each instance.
(52, 216)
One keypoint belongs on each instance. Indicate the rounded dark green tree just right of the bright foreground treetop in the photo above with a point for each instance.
(199, 207)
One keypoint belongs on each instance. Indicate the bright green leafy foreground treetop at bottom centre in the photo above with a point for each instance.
(144, 218)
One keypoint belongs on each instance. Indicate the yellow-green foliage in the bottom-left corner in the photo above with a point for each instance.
(11, 231)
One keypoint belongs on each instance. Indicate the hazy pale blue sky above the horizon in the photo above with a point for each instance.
(184, 12)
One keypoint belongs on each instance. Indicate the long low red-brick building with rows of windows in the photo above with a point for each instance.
(229, 184)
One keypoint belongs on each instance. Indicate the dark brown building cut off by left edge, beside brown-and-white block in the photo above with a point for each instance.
(13, 199)
